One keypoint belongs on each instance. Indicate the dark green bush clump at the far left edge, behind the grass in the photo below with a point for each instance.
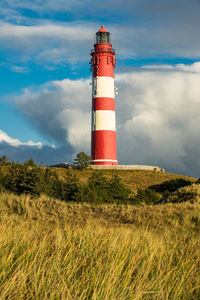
(30, 179)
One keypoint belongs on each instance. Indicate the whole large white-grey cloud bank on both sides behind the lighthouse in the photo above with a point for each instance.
(157, 112)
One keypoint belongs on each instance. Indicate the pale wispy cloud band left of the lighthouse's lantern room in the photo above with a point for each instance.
(47, 42)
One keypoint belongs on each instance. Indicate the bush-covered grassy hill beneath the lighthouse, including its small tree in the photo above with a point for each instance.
(82, 185)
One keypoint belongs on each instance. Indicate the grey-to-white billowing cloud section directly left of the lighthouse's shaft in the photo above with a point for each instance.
(60, 110)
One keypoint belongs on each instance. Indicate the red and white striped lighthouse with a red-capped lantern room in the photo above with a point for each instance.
(103, 146)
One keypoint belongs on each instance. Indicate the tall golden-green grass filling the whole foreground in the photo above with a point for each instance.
(54, 250)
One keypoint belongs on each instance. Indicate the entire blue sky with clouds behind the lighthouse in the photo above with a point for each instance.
(45, 91)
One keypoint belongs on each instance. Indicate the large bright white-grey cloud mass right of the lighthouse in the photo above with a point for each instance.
(159, 117)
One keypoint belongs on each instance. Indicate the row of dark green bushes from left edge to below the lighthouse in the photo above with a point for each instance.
(28, 178)
